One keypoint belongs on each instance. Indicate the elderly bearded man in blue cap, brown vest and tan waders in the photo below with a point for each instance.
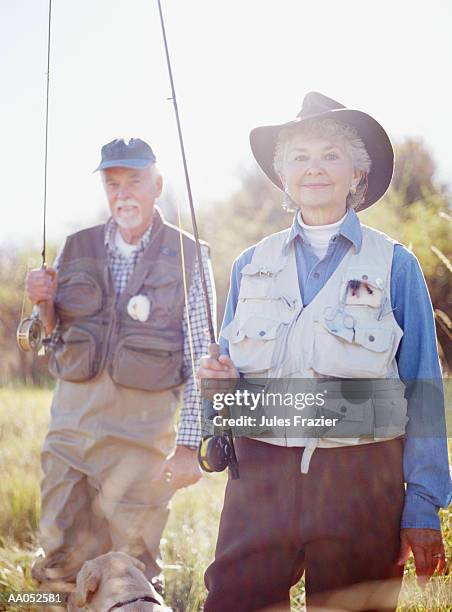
(120, 349)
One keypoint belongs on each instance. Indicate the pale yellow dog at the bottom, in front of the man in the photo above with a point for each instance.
(114, 582)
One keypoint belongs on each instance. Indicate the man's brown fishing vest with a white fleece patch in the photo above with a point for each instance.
(96, 330)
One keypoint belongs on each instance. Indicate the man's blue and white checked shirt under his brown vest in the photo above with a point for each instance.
(189, 432)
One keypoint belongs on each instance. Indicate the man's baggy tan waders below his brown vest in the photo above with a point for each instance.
(105, 443)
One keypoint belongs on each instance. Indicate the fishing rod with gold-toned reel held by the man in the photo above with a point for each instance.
(30, 332)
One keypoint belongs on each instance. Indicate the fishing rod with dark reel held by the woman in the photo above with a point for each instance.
(215, 452)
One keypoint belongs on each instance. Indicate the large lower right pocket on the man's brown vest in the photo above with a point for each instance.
(138, 365)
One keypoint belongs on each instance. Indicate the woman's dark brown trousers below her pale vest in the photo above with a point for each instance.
(340, 524)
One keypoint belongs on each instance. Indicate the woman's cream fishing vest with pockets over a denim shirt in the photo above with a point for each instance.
(345, 332)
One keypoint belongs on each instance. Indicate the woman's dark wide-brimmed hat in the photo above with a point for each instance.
(263, 141)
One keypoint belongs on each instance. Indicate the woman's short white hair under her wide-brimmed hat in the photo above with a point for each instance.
(328, 129)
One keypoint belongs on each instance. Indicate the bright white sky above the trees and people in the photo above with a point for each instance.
(237, 64)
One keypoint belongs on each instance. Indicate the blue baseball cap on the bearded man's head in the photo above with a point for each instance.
(121, 153)
